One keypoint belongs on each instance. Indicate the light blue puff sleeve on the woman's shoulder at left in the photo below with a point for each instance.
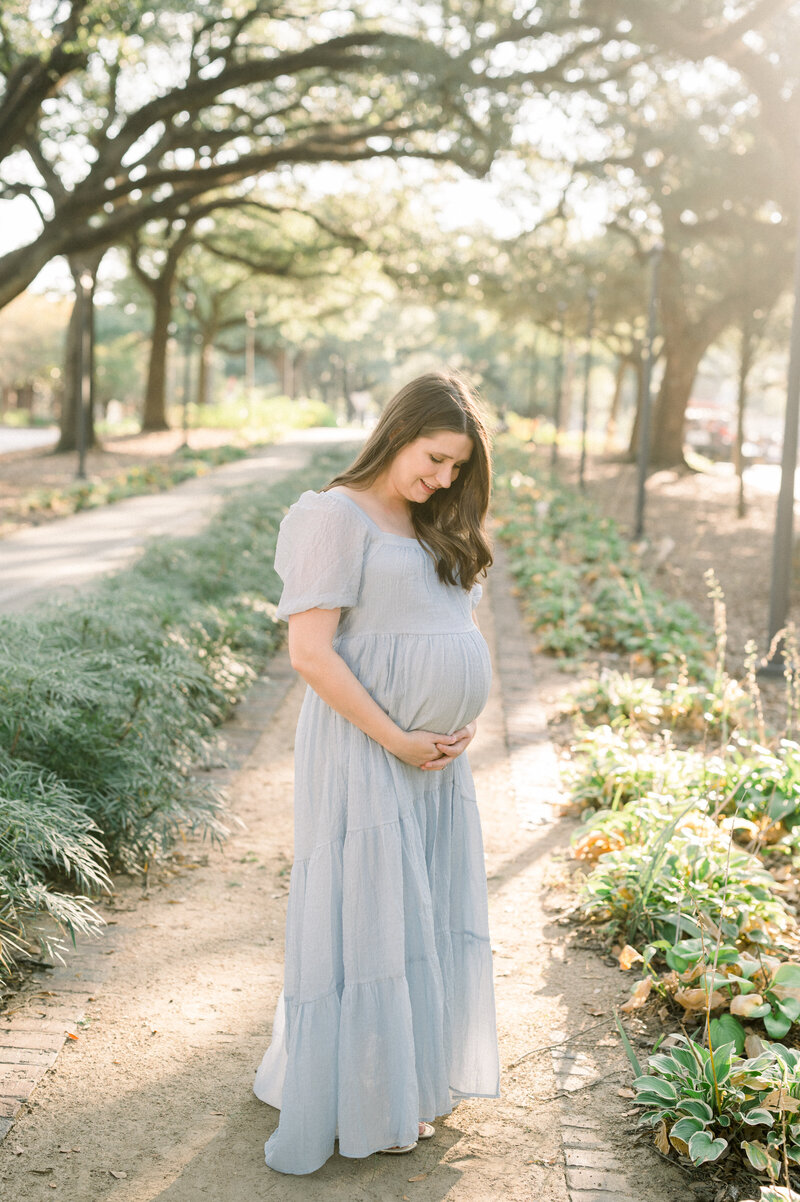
(320, 555)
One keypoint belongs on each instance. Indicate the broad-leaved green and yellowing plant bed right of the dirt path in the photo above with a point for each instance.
(691, 828)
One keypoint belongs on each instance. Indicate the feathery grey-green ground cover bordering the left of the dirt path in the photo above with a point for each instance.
(109, 709)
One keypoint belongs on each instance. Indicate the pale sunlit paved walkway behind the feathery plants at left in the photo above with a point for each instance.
(58, 557)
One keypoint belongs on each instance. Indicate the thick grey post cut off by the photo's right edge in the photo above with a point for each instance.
(781, 585)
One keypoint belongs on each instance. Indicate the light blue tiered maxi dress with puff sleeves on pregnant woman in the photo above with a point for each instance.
(387, 1014)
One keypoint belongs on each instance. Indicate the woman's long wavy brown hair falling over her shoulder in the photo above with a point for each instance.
(451, 523)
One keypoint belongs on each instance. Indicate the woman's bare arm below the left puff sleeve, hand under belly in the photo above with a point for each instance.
(311, 644)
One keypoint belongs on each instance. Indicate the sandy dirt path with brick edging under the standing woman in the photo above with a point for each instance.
(154, 1100)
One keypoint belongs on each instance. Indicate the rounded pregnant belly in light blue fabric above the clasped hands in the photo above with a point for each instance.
(425, 682)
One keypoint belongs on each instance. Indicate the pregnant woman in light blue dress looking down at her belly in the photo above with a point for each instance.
(387, 1016)
